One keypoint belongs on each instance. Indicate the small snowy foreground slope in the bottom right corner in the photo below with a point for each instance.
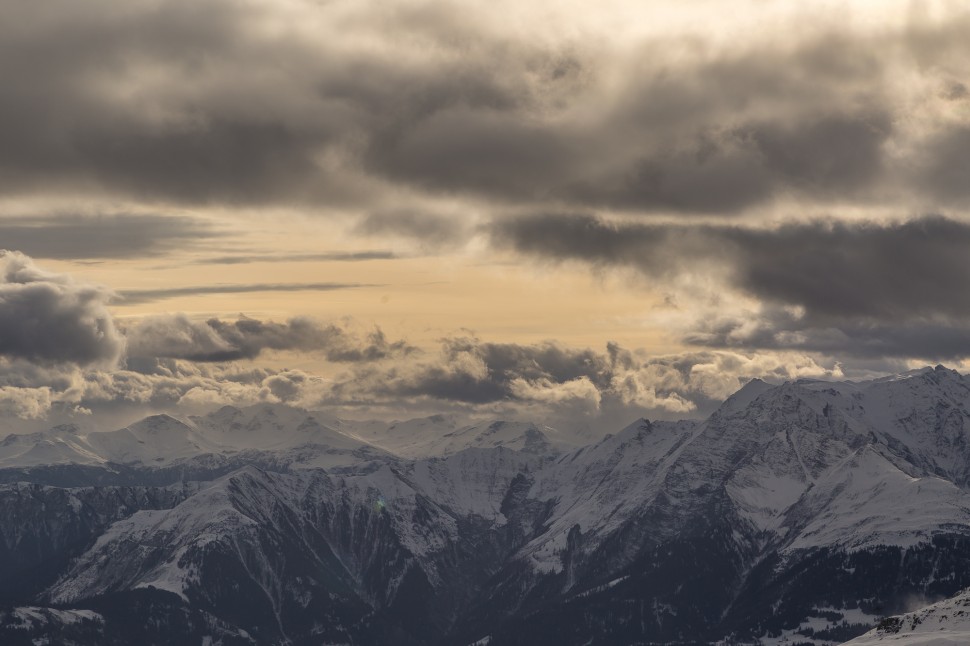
(946, 623)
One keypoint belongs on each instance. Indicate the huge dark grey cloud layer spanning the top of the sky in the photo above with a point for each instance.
(204, 104)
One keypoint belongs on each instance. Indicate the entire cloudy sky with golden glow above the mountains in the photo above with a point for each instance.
(580, 213)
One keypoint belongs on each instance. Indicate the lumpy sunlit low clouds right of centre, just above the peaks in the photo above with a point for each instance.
(563, 381)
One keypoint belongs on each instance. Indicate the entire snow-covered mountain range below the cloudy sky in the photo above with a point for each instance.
(802, 513)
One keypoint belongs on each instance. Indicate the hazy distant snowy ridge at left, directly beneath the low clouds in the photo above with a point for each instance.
(291, 436)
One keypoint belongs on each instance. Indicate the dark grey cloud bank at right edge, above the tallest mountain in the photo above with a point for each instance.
(864, 288)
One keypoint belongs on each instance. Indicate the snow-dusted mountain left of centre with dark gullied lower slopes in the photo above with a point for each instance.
(305, 545)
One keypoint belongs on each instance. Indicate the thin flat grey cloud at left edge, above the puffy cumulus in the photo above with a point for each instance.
(118, 235)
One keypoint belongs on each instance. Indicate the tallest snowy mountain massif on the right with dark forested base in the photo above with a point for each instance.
(738, 505)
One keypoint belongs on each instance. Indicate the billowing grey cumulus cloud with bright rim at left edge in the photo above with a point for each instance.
(51, 319)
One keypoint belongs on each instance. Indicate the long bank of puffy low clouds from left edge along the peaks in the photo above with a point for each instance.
(59, 347)
